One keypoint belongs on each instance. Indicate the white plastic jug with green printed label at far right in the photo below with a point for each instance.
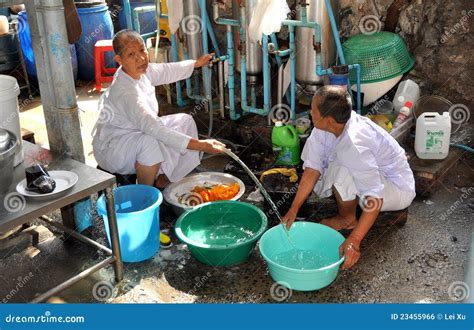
(433, 132)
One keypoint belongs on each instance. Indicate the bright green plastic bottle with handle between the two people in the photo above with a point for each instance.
(286, 143)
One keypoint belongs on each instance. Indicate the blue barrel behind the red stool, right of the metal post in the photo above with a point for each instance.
(96, 25)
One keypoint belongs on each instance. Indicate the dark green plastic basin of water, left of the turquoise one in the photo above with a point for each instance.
(221, 233)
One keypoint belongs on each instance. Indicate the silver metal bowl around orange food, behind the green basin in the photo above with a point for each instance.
(183, 187)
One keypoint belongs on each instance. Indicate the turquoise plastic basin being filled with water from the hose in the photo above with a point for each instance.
(314, 263)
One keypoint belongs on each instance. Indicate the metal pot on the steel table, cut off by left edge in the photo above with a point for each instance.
(8, 146)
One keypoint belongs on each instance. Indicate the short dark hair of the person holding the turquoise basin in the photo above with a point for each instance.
(334, 101)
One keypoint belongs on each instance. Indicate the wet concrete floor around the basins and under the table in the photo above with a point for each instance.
(415, 263)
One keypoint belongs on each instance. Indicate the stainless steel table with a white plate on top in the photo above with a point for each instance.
(16, 210)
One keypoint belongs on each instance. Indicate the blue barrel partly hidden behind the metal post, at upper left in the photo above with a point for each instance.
(27, 47)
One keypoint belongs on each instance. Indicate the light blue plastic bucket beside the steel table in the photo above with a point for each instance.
(137, 207)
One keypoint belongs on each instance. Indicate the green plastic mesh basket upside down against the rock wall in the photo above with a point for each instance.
(382, 55)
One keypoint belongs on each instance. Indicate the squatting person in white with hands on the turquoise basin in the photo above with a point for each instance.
(353, 158)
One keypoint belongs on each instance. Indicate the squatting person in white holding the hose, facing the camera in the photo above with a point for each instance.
(129, 135)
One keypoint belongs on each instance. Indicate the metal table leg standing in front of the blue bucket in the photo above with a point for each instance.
(114, 237)
